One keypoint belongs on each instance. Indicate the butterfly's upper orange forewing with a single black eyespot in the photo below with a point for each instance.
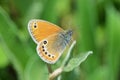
(40, 29)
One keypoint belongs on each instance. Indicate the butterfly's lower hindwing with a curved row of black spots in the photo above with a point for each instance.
(51, 48)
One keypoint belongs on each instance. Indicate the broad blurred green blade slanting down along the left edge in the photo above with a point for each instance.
(17, 51)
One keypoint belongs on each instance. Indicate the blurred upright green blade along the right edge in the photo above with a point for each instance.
(113, 40)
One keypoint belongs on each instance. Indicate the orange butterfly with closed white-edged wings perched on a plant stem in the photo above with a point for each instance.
(51, 40)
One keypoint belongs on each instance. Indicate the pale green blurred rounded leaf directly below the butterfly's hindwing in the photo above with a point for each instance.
(36, 69)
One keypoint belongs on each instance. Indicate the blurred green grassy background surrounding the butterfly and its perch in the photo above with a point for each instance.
(96, 27)
